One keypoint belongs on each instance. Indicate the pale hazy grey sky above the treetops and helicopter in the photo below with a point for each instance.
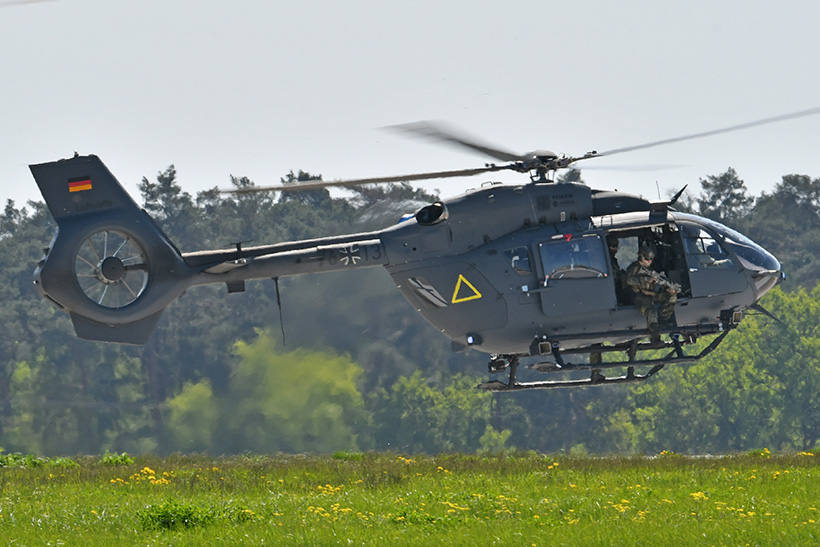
(256, 88)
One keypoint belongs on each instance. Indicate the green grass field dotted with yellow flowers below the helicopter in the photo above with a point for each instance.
(388, 499)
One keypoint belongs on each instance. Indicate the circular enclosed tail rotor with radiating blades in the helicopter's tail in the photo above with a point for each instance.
(111, 269)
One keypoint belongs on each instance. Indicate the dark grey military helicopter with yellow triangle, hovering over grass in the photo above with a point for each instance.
(515, 271)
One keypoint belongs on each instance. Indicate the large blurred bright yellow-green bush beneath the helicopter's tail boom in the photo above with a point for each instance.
(299, 401)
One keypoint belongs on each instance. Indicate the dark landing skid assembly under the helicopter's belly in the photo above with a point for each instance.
(596, 378)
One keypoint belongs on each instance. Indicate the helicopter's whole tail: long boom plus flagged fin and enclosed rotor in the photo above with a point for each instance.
(114, 270)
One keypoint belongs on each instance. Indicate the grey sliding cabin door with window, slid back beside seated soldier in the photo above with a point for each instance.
(574, 275)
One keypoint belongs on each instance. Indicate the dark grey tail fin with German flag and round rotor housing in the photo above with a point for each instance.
(109, 265)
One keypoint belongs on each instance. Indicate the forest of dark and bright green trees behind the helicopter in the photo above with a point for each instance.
(352, 367)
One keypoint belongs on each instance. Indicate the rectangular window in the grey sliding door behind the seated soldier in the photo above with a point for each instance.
(573, 258)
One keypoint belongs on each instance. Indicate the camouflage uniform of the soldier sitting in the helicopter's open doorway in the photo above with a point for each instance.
(651, 290)
